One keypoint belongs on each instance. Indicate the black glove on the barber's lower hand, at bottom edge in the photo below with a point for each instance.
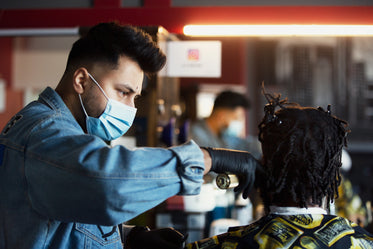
(164, 238)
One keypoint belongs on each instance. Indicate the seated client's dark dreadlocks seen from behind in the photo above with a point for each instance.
(302, 149)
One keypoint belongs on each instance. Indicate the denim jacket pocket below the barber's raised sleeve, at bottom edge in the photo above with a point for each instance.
(99, 236)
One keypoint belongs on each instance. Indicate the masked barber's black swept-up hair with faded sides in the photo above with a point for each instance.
(106, 42)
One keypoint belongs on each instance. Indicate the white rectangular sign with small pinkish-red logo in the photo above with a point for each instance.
(193, 59)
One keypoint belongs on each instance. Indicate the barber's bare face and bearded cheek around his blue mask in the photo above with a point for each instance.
(123, 84)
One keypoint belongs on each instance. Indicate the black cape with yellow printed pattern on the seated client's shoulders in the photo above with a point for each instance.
(294, 231)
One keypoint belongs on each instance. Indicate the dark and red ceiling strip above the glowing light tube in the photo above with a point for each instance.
(173, 15)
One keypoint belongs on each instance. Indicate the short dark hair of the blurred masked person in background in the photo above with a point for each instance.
(231, 100)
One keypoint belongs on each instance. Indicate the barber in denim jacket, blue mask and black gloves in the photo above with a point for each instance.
(62, 186)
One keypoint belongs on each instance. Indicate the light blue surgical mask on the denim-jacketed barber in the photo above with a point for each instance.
(113, 122)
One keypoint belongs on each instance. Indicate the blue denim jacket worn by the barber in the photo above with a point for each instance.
(62, 188)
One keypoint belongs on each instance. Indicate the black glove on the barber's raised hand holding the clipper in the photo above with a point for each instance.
(240, 163)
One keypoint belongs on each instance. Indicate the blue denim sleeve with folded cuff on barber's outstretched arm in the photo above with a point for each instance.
(75, 177)
